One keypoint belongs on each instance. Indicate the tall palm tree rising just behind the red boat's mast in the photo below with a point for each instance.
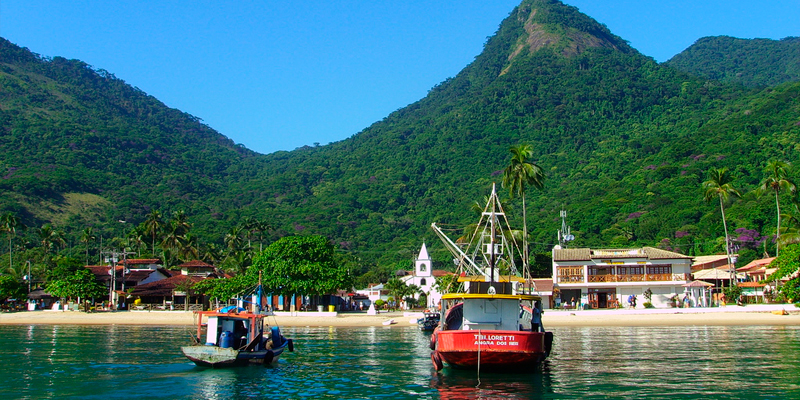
(518, 175)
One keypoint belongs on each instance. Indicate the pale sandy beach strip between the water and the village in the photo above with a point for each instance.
(730, 315)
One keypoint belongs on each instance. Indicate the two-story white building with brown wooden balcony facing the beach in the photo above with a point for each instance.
(605, 278)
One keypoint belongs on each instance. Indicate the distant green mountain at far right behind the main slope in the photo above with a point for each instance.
(749, 62)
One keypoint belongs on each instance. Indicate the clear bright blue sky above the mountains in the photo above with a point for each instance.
(277, 75)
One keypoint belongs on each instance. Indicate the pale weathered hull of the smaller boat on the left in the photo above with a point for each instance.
(215, 357)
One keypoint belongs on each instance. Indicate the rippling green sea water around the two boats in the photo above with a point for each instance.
(128, 362)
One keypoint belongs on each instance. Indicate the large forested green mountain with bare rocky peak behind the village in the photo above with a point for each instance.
(625, 143)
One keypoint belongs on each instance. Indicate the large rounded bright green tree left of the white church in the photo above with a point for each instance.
(300, 265)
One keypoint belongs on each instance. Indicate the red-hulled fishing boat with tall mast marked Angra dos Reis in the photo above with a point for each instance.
(494, 321)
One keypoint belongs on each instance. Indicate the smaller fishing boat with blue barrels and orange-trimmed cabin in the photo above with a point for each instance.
(234, 336)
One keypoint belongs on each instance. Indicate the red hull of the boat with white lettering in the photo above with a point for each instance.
(492, 349)
